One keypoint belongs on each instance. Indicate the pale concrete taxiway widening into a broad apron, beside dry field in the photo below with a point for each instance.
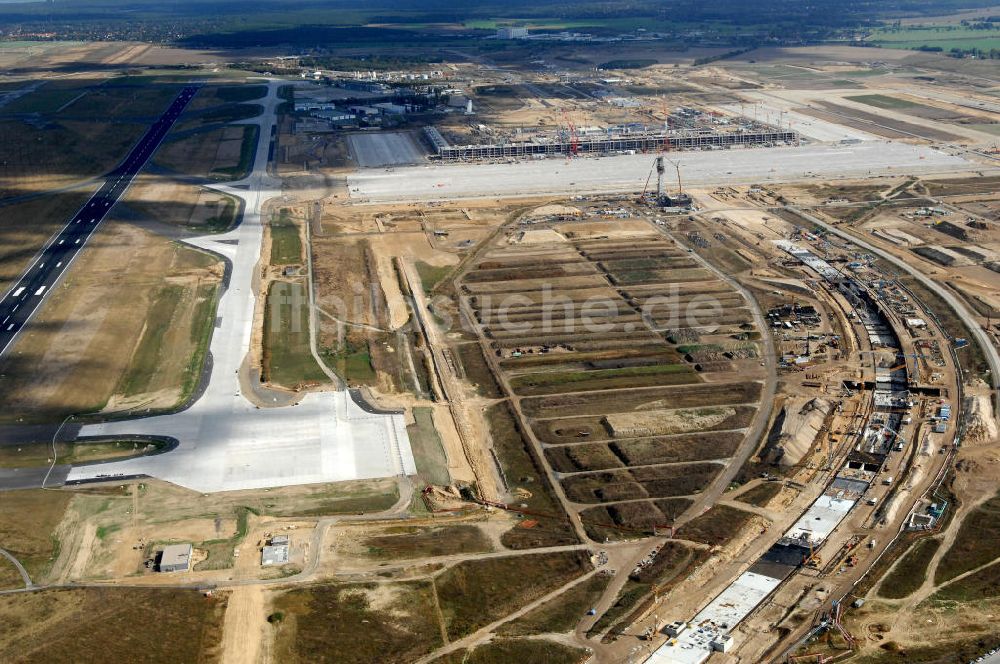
(227, 443)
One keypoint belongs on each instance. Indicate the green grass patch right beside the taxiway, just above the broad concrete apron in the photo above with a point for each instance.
(288, 360)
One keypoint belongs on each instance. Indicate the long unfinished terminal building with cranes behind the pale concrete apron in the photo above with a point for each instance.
(607, 143)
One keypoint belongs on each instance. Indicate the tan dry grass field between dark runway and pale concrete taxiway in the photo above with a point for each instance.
(125, 329)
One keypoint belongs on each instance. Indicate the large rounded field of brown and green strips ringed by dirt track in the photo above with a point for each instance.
(630, 361)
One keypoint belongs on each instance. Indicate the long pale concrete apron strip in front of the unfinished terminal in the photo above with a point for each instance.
(628, 173)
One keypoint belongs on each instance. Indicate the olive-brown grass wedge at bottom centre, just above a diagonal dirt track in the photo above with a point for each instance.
(474, 593)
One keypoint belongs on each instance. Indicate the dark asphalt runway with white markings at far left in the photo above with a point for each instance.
(25, 297)
